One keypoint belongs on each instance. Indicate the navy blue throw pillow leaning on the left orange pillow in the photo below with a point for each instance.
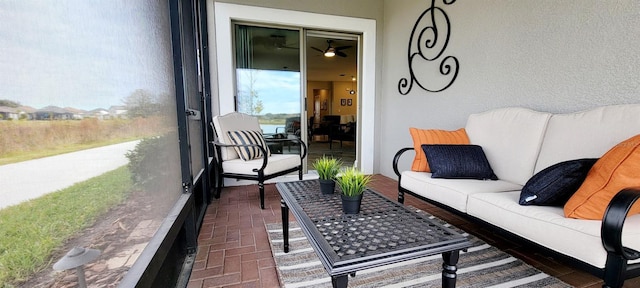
(458, 162)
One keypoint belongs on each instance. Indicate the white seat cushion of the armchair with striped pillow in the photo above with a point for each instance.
(277, 163)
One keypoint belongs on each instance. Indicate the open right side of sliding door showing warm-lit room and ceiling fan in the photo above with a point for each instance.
(332, 95)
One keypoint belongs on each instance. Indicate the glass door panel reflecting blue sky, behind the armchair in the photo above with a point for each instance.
(268, 83)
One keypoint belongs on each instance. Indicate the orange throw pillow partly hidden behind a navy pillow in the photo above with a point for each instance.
(433, 136)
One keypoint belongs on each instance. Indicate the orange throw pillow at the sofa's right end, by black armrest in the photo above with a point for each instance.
(617, 169)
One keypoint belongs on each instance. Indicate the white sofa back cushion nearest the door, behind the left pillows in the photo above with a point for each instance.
(511, 139)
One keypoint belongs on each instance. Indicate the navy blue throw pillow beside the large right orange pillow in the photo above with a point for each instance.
(554, 185)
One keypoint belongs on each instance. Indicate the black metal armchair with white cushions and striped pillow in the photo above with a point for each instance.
(241, 152)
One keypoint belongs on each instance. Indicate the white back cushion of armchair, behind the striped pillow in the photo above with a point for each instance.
(233, 121)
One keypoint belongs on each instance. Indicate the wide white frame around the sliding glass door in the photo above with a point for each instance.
(225, 13)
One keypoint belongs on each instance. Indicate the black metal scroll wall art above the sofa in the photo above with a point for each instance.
(429, 39)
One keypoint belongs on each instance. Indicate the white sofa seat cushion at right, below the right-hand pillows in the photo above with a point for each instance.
(548, 227)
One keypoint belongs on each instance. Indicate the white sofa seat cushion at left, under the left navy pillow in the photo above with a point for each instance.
(451, 192)
